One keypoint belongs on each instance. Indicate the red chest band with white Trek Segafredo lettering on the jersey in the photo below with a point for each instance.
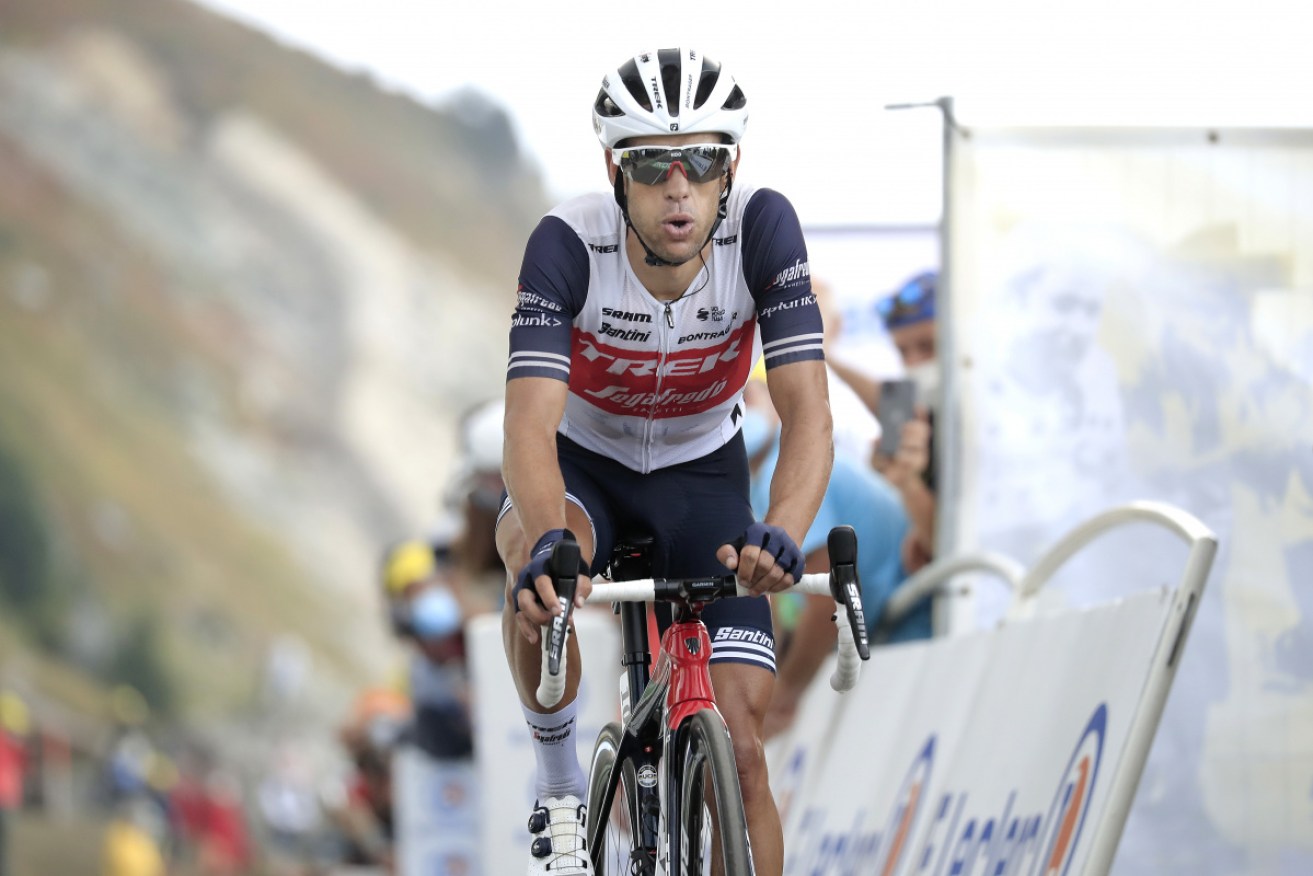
(645, 383)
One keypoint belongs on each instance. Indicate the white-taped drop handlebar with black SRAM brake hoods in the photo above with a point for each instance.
(841, 584)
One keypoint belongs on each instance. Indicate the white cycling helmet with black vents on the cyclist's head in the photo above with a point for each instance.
(672, 91)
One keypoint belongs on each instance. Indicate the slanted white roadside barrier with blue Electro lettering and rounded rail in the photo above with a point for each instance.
(1014, 751)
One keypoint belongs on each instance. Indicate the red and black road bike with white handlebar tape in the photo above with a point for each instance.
(662, 786)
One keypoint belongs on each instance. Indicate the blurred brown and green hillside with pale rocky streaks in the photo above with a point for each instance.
(244, 297)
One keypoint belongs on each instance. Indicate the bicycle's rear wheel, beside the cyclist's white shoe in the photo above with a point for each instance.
(611, 824)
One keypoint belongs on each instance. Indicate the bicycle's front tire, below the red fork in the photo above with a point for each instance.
(706, 752)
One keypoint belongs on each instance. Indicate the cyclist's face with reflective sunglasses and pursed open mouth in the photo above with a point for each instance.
(676, 215)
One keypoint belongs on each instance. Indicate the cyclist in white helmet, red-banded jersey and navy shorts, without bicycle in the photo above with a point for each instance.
(634, 338)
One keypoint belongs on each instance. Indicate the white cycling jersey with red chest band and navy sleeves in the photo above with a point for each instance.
(652, 383)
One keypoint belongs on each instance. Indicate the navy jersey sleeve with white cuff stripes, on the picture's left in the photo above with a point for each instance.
(553, 284)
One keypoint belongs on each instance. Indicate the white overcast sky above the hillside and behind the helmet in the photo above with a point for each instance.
(819, 74)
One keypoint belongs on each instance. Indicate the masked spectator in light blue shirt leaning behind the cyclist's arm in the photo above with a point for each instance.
(857, 497)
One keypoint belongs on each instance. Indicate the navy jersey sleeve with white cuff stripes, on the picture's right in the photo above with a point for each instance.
(779, 276)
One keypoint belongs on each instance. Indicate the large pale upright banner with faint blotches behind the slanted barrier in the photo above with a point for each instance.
(1131, 317)
